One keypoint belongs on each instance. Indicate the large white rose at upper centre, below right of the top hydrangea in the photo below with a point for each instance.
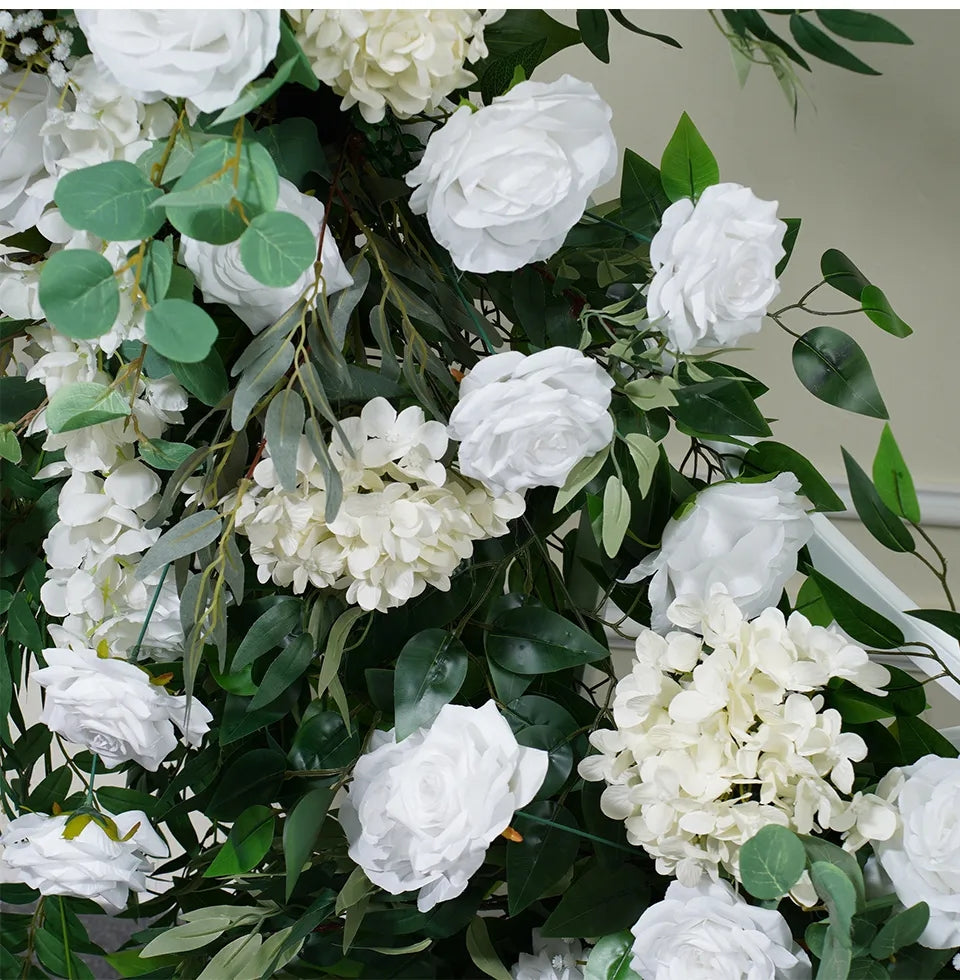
(501, 187)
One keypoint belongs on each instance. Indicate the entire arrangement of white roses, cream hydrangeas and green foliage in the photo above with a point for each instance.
(334, 431)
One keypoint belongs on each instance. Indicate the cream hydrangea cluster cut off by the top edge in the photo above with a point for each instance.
(407, 60)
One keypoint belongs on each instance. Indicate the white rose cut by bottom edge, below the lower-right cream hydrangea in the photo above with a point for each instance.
(709, 931)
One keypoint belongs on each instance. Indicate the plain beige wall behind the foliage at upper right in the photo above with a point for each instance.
(872, 169)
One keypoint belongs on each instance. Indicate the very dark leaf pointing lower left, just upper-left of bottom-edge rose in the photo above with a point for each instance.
(600, 901)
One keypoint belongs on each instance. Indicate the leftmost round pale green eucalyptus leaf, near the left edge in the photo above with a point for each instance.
(78, 293)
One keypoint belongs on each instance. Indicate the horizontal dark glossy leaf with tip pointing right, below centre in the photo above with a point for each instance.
(540, 641)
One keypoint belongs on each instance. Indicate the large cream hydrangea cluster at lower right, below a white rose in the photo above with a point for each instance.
(719, 736)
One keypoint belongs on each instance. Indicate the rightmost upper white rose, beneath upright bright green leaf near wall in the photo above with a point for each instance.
(715, 265)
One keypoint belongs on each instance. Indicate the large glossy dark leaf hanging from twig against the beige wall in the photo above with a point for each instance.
(831, 365)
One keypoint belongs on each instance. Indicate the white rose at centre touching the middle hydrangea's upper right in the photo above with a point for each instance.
(526, 421)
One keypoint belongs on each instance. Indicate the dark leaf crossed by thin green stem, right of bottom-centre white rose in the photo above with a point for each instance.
(542, 856)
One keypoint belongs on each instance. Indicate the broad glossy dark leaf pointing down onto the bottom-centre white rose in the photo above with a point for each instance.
(431, 669)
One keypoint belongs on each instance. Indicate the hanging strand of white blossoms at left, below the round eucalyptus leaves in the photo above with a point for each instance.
(93, 548)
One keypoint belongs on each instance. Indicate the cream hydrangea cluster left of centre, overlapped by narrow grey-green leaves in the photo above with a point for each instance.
(405, 521)
